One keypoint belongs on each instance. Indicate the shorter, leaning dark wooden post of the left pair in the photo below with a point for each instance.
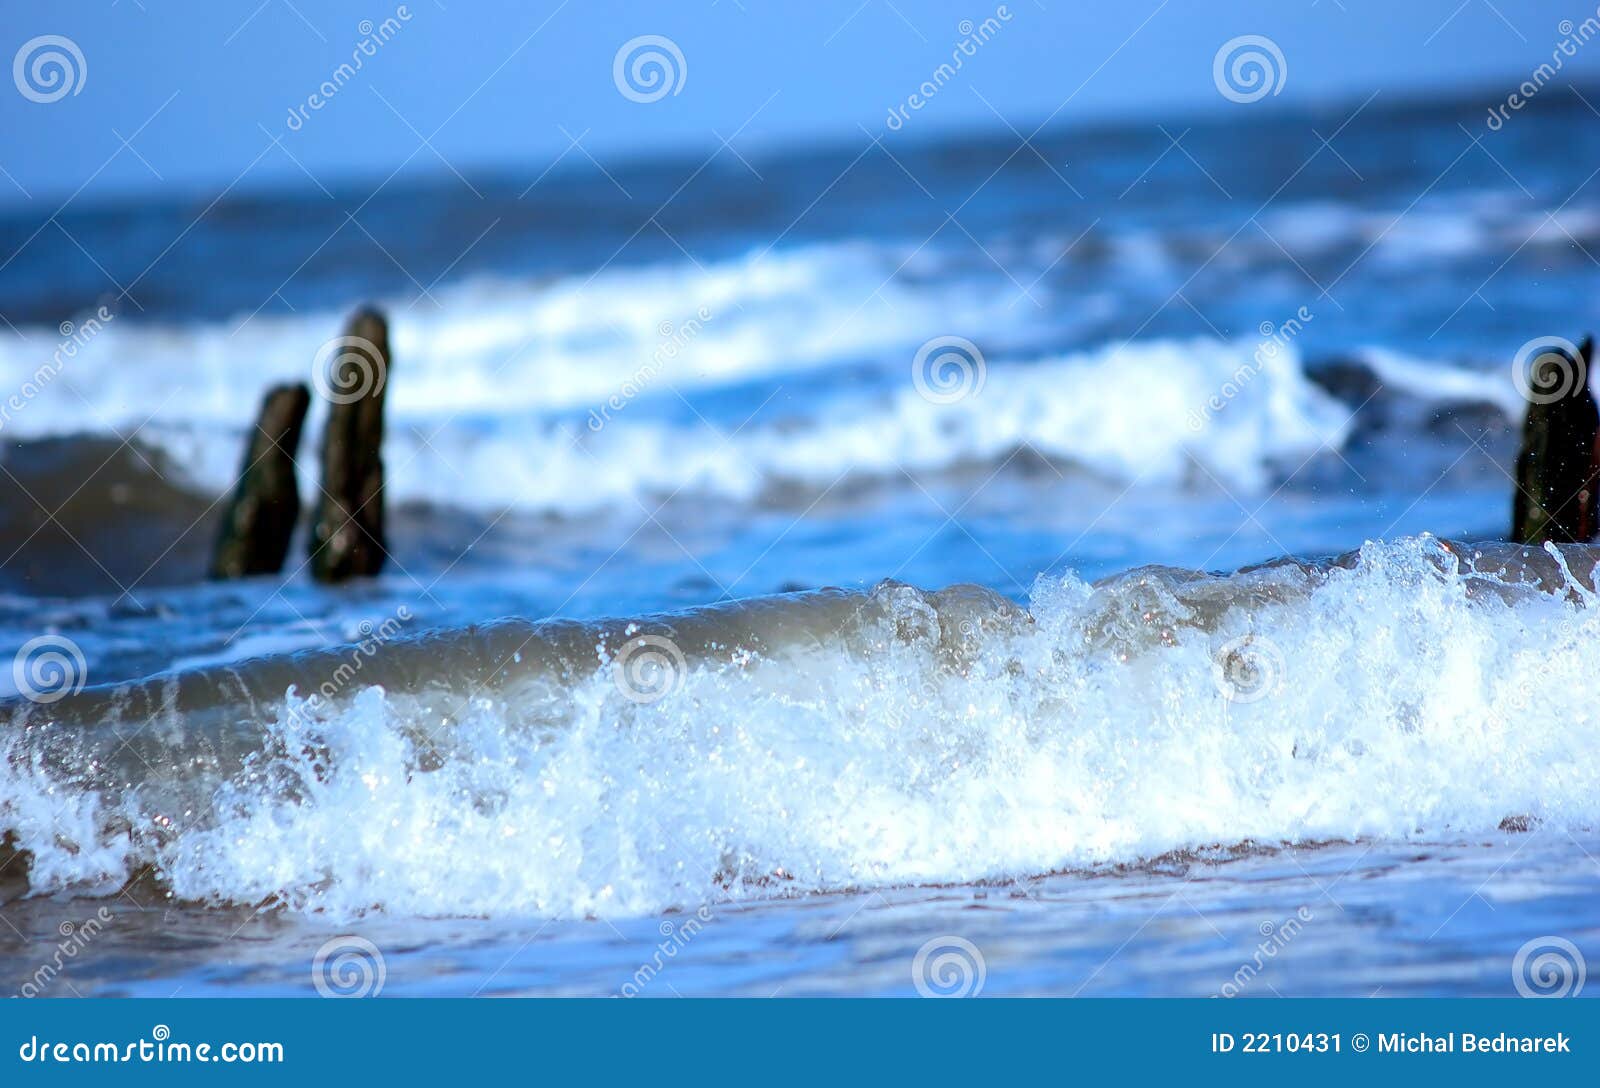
(266, 502)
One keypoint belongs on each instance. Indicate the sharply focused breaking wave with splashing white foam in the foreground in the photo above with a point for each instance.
(836, 740)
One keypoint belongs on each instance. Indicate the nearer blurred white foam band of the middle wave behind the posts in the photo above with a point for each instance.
(1137, 414)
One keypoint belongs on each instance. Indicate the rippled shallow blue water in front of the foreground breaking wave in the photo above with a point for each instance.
(1351, 921)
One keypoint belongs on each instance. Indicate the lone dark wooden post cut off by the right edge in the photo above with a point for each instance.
(1559, 465)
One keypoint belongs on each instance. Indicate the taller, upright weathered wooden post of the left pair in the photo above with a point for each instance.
(348, 535)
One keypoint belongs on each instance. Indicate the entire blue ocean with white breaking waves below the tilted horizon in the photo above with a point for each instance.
(846, 570)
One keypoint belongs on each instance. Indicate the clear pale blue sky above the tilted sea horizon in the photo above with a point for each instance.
(201, 90)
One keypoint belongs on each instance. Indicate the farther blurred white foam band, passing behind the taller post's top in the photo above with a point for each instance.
(508, 346)
